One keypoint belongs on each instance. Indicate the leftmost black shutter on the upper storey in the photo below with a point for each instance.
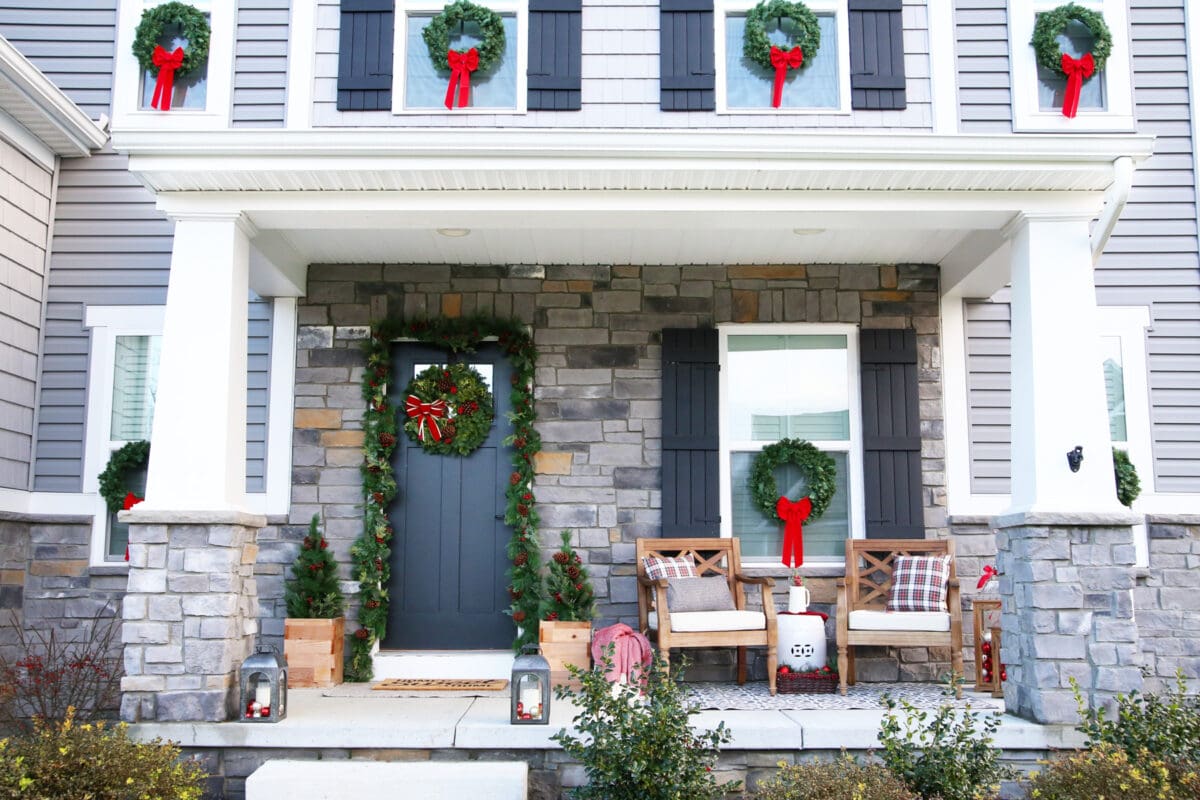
(364, 56)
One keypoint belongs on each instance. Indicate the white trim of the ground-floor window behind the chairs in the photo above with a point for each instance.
(854, 449)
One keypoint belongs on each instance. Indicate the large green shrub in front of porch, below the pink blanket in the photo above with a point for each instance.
(641, 748)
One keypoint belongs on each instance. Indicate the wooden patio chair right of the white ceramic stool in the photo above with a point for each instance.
(862, 605)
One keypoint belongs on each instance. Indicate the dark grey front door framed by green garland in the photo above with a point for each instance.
(449, 590)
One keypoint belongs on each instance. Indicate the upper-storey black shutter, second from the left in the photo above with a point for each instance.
(556, 33)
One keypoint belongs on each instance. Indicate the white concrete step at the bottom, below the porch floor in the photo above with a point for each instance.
(358, 780)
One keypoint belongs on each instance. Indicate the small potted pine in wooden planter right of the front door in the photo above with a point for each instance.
(568, 609)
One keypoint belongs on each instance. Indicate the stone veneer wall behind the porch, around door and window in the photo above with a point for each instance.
(598, 389)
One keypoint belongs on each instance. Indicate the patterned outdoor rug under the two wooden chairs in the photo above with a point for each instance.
(755, 696)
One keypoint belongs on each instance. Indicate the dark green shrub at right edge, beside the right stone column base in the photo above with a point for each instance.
(1166, 726)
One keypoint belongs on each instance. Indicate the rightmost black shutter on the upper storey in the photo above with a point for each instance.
(877, 55)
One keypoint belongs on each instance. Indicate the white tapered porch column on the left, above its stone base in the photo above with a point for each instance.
(199, 447)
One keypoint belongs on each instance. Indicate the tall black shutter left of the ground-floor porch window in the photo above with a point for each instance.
(691, 434)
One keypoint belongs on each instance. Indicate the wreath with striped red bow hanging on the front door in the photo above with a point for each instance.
(466, 418)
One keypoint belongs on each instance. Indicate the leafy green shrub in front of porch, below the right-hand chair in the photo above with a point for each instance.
(946, 755)
